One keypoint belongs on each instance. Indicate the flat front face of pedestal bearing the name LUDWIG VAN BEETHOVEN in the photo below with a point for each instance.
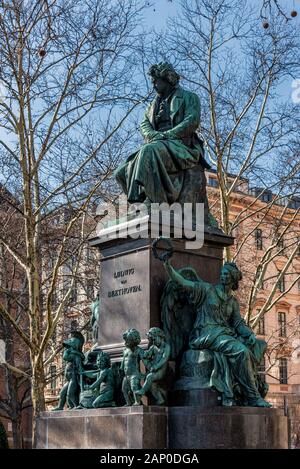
(124, 295)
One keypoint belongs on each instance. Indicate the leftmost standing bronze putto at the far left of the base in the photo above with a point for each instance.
(74, 357)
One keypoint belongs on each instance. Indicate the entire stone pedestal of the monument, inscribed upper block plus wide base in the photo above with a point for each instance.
(132, 282)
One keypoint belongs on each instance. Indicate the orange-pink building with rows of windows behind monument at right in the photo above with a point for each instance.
(267, 234)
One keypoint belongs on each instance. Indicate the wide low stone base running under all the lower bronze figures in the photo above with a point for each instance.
(152, 427)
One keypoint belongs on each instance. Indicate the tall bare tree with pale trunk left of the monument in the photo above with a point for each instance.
(66, 74)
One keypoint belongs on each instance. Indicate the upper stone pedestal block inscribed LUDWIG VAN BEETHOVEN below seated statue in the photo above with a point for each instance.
(132, 280)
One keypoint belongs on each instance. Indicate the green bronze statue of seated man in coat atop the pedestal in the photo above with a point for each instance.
(155, 173)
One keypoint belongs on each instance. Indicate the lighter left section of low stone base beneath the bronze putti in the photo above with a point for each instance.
(111, 428)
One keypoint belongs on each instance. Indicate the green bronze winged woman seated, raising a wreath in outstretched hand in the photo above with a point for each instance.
(217, 327)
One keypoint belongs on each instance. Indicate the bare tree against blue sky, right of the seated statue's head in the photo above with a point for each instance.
(236, 68)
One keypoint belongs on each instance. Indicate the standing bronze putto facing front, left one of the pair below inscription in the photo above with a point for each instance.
(130, 366)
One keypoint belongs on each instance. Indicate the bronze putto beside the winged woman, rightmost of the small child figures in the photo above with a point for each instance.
(155, 360)
